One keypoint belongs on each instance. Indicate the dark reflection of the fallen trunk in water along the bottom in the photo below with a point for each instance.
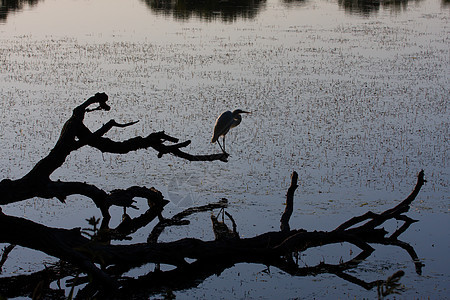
(189, 276)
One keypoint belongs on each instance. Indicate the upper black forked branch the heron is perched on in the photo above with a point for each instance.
(74, 135)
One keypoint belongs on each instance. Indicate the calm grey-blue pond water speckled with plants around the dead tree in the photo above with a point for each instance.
(353, 95)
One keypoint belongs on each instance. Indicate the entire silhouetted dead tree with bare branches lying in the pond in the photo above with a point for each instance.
(95, 260)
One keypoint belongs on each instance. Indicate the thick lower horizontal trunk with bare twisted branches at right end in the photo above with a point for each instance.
(211, 257)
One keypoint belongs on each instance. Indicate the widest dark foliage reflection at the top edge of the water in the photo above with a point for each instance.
(208, 10)
